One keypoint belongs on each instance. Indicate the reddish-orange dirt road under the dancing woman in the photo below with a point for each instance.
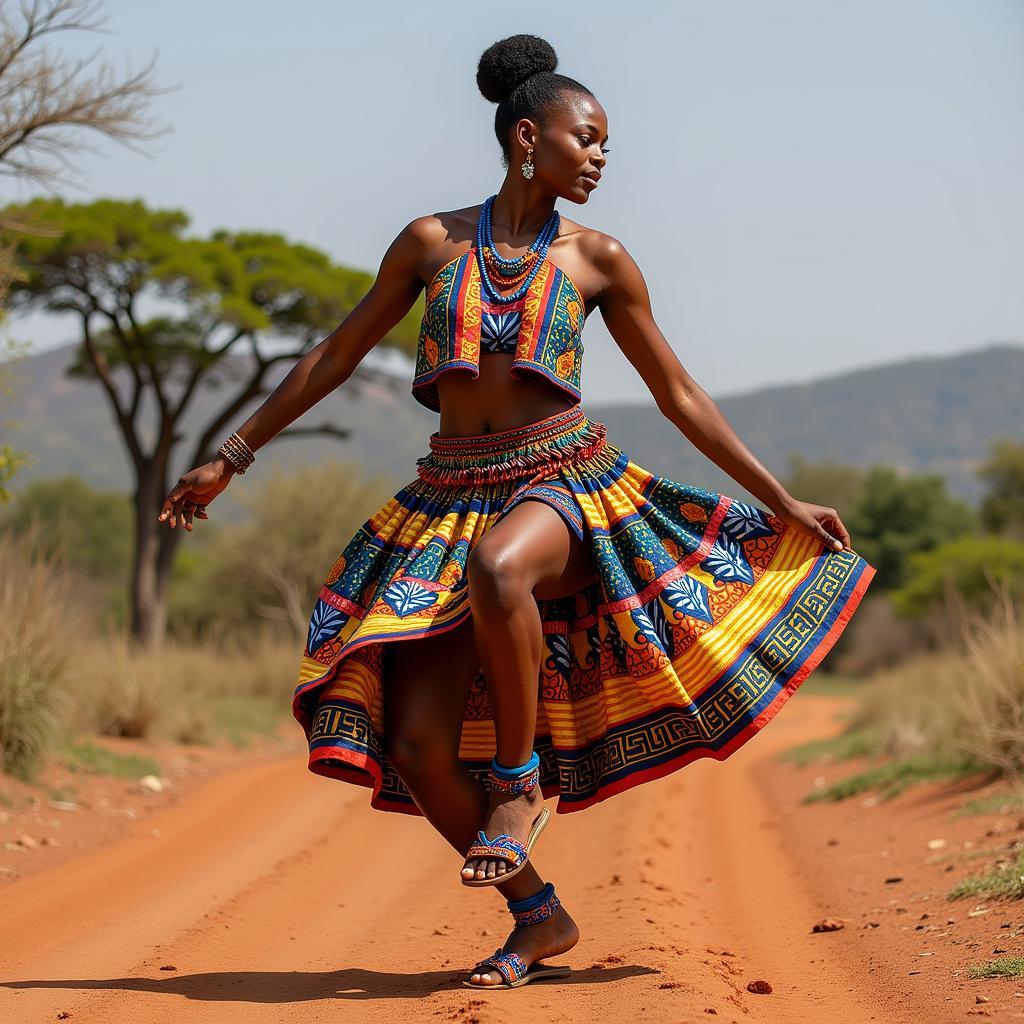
(279, 897)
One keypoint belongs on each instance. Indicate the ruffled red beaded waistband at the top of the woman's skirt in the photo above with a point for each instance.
(533, 451)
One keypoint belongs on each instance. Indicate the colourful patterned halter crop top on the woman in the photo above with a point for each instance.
(543, 331)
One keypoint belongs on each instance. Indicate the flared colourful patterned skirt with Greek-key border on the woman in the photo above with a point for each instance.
(706, 616)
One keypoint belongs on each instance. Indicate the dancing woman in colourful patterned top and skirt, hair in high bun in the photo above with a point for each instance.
(572, 624)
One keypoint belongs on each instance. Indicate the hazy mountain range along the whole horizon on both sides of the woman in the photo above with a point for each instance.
(920, 415)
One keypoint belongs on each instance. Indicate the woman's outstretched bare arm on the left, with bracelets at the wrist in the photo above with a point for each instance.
(319, 372)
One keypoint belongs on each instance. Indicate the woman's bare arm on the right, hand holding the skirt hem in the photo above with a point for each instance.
(625, 305)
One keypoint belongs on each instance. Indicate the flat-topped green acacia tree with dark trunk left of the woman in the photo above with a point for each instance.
(237, 294)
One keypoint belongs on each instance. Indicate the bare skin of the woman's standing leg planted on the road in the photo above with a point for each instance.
(426, 685)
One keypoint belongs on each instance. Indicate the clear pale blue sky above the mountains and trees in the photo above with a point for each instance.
(807, 188)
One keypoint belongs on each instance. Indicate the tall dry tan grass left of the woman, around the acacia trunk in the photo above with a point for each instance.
(63, 678)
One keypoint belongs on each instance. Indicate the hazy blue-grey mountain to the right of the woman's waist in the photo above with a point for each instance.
(923, 415)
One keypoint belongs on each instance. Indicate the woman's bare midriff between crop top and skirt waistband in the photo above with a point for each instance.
(495, 401)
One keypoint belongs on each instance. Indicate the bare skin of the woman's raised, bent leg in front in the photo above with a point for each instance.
(530, 554)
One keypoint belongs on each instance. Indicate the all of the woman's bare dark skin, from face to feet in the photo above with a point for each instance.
(531, 554)
